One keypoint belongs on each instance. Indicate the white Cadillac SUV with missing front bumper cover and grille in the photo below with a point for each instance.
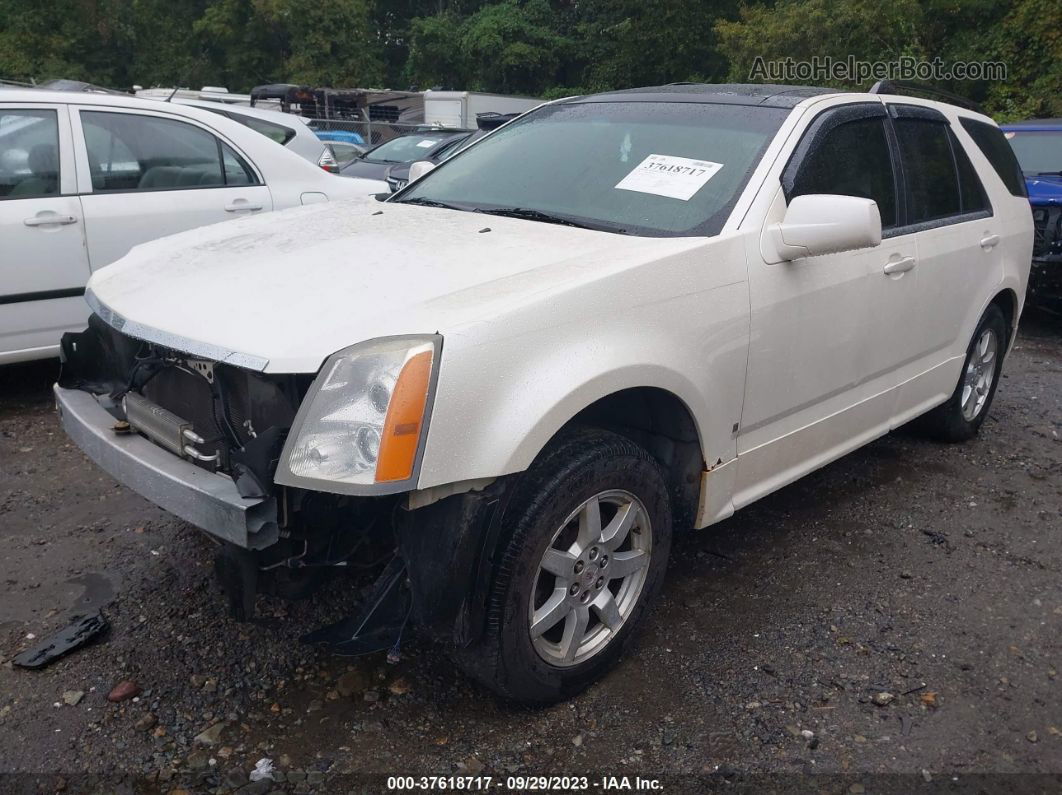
(615, 317)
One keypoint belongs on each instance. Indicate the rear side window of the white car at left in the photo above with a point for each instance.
(129, 153)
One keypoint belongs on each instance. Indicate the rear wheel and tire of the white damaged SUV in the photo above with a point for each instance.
(961, 418)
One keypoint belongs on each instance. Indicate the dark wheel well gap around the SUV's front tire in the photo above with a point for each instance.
(661, 423)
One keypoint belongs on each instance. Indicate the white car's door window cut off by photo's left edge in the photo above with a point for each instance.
(29, 154)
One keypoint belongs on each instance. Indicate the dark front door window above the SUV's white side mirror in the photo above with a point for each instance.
(852, 160)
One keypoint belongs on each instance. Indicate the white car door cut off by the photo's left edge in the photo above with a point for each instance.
(43, 261)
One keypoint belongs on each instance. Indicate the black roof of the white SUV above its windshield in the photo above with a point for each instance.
(720, 94)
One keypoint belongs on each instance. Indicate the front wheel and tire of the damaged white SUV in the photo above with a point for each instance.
(552, 509)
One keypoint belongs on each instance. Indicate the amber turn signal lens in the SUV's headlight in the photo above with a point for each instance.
(402, 429)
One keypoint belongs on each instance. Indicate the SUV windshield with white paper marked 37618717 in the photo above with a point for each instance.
(640, 168)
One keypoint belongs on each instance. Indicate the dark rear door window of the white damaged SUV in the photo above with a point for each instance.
(933, 185)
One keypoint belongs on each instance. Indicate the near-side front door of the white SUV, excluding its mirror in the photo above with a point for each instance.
(807, 400)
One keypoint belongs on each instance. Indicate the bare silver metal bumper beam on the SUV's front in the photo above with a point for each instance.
(208, 500)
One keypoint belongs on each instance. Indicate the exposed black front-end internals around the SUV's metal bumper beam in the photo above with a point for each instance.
(233, 423)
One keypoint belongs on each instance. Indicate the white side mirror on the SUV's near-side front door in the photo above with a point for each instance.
(824, 223)
